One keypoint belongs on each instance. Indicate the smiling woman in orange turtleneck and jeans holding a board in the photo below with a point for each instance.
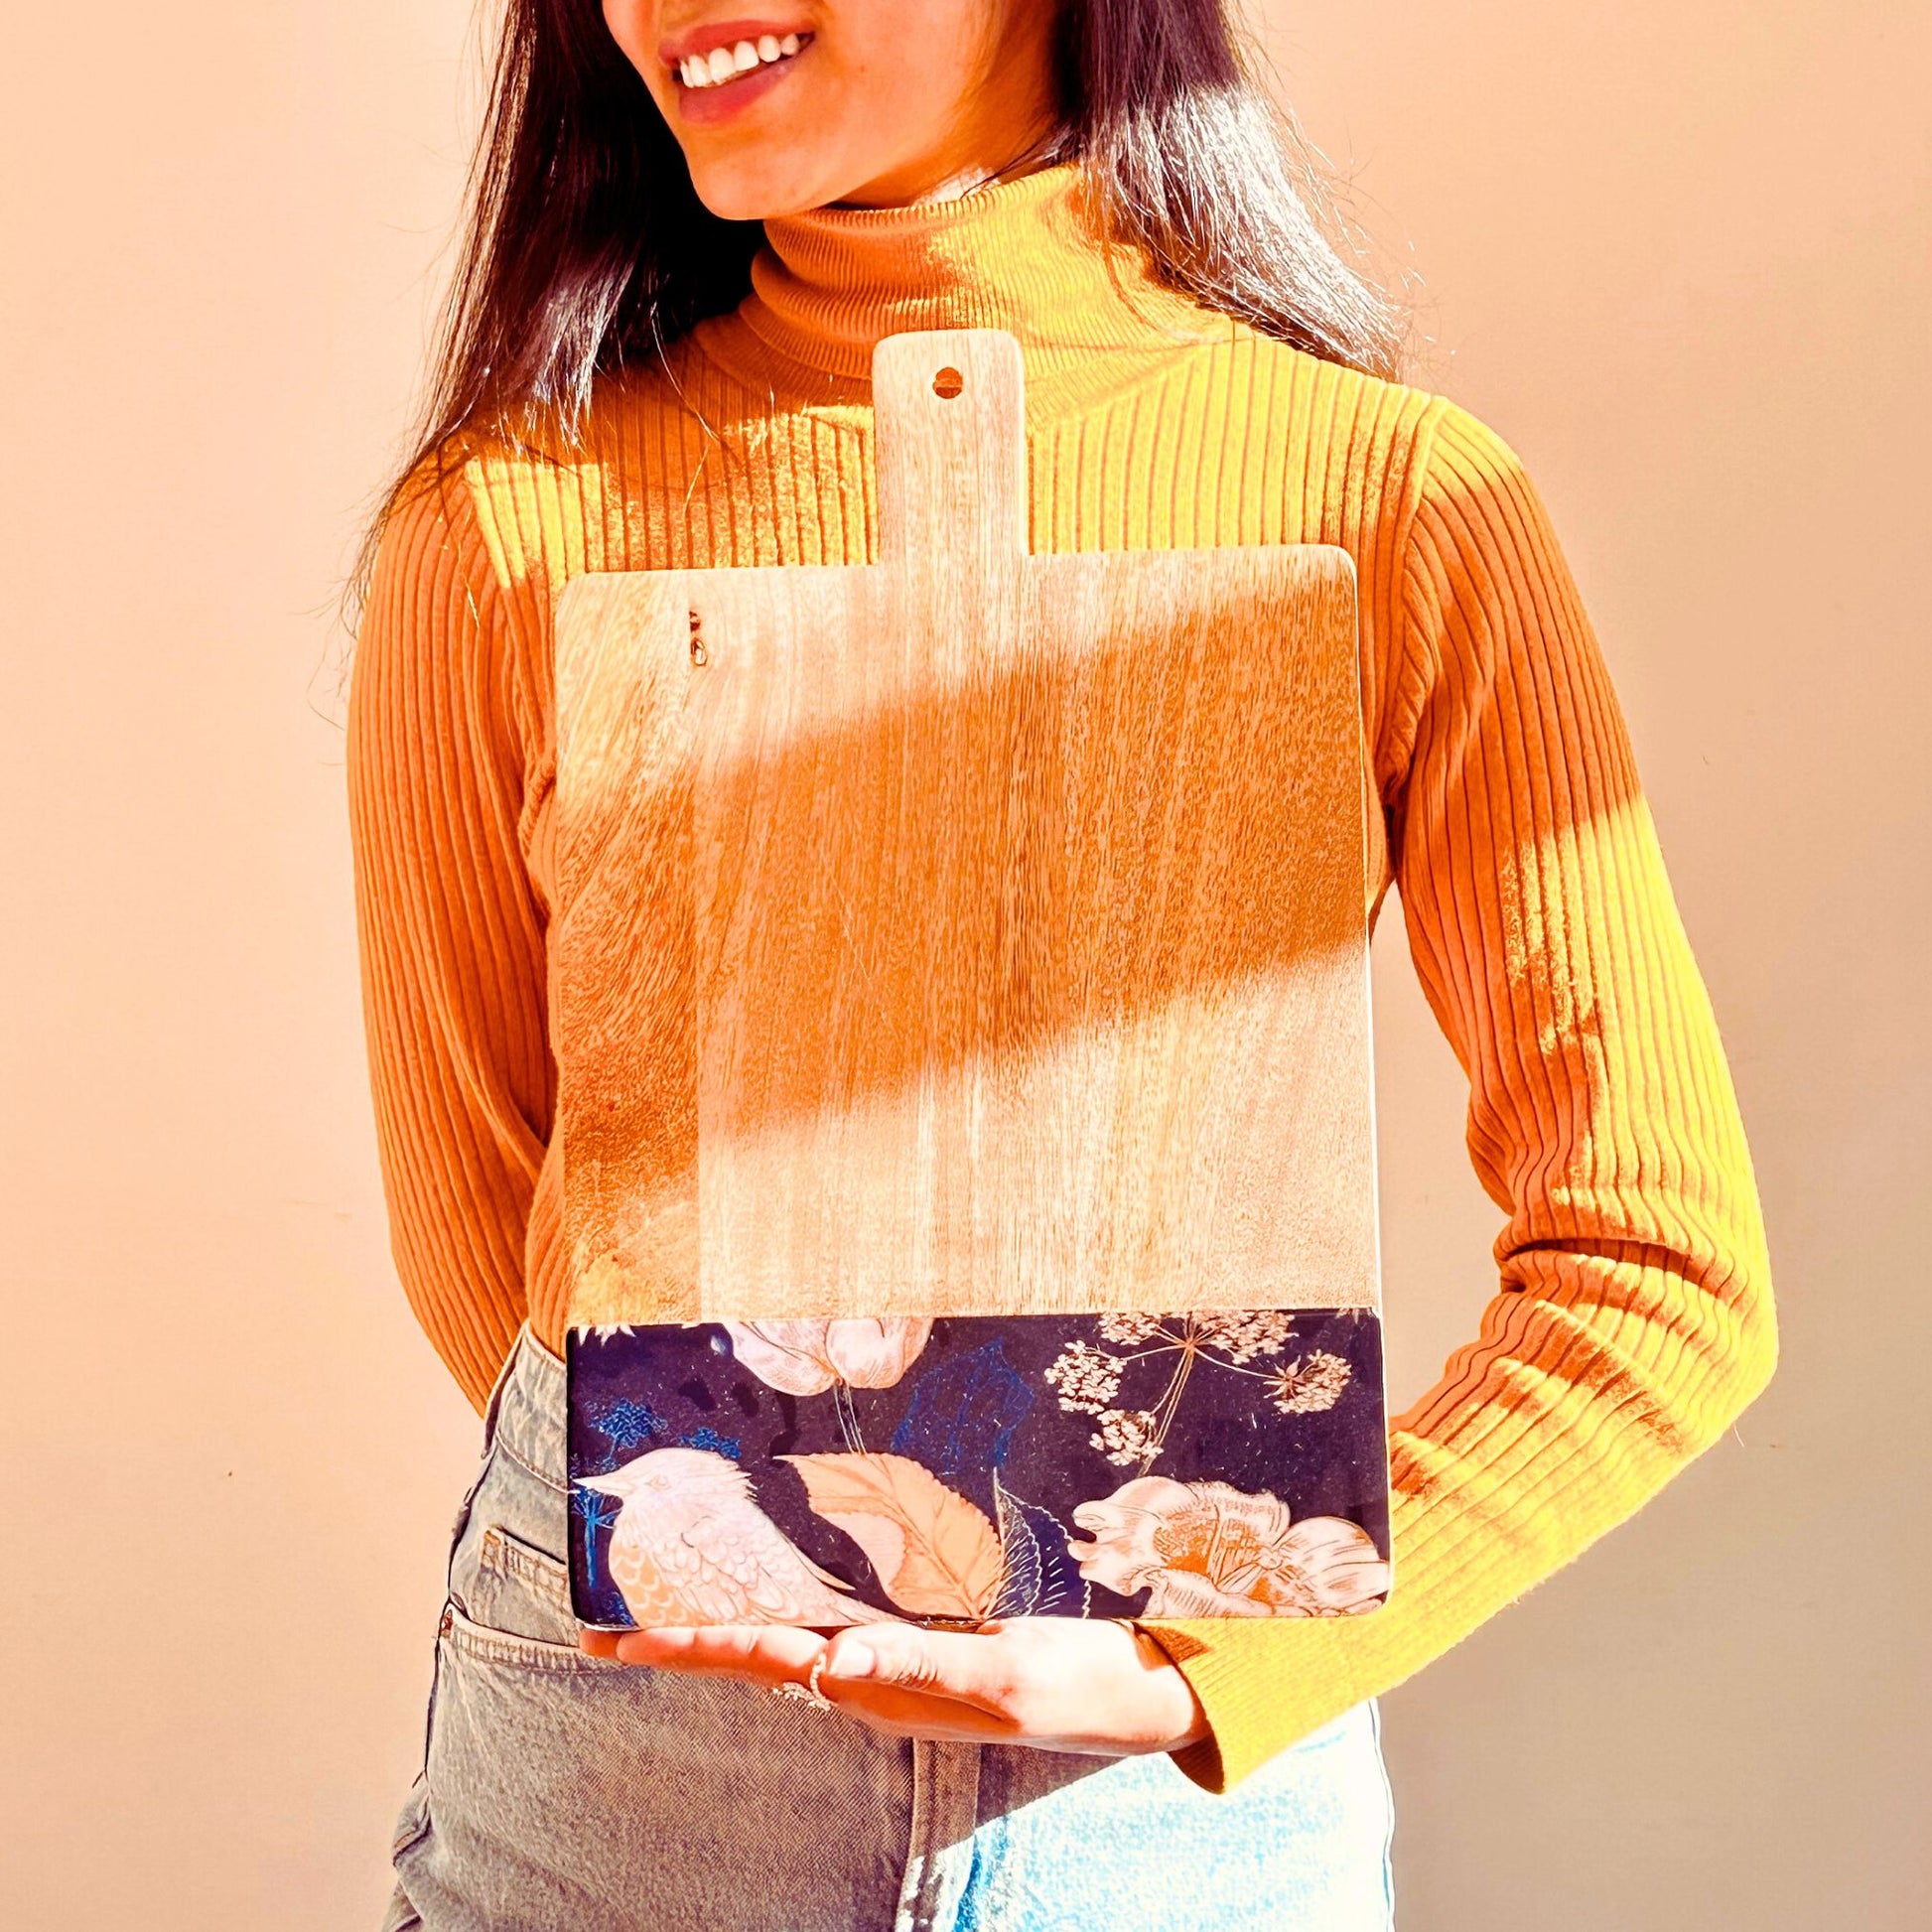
(689, 235)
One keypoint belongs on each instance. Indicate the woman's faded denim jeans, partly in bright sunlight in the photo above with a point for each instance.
(569, 1794)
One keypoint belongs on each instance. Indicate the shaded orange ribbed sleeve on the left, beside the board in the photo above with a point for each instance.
(449, 932)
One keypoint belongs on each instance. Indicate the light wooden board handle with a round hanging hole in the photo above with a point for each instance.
(950, 411)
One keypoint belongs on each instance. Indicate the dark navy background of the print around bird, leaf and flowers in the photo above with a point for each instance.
(975, 1398)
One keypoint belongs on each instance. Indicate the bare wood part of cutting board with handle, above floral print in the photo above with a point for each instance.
(971, 932)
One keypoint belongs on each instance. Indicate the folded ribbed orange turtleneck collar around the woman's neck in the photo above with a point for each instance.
(1025, 254)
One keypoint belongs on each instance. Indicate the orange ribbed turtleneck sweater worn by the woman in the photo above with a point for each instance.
(1634, 1317)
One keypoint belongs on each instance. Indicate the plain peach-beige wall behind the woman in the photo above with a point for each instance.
(1678, 256)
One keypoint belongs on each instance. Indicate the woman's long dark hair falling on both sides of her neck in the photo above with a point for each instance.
(586, 246)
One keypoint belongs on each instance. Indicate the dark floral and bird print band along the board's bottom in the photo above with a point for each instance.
(946, 1471)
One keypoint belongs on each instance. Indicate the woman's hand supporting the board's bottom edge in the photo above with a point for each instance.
(1056, 1684)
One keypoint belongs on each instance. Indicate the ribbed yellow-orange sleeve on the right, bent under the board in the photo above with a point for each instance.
(1634, 1317)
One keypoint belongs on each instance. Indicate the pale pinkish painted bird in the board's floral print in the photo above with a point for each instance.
(691, 1547)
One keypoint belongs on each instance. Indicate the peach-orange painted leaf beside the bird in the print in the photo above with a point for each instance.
(936, 1554)
